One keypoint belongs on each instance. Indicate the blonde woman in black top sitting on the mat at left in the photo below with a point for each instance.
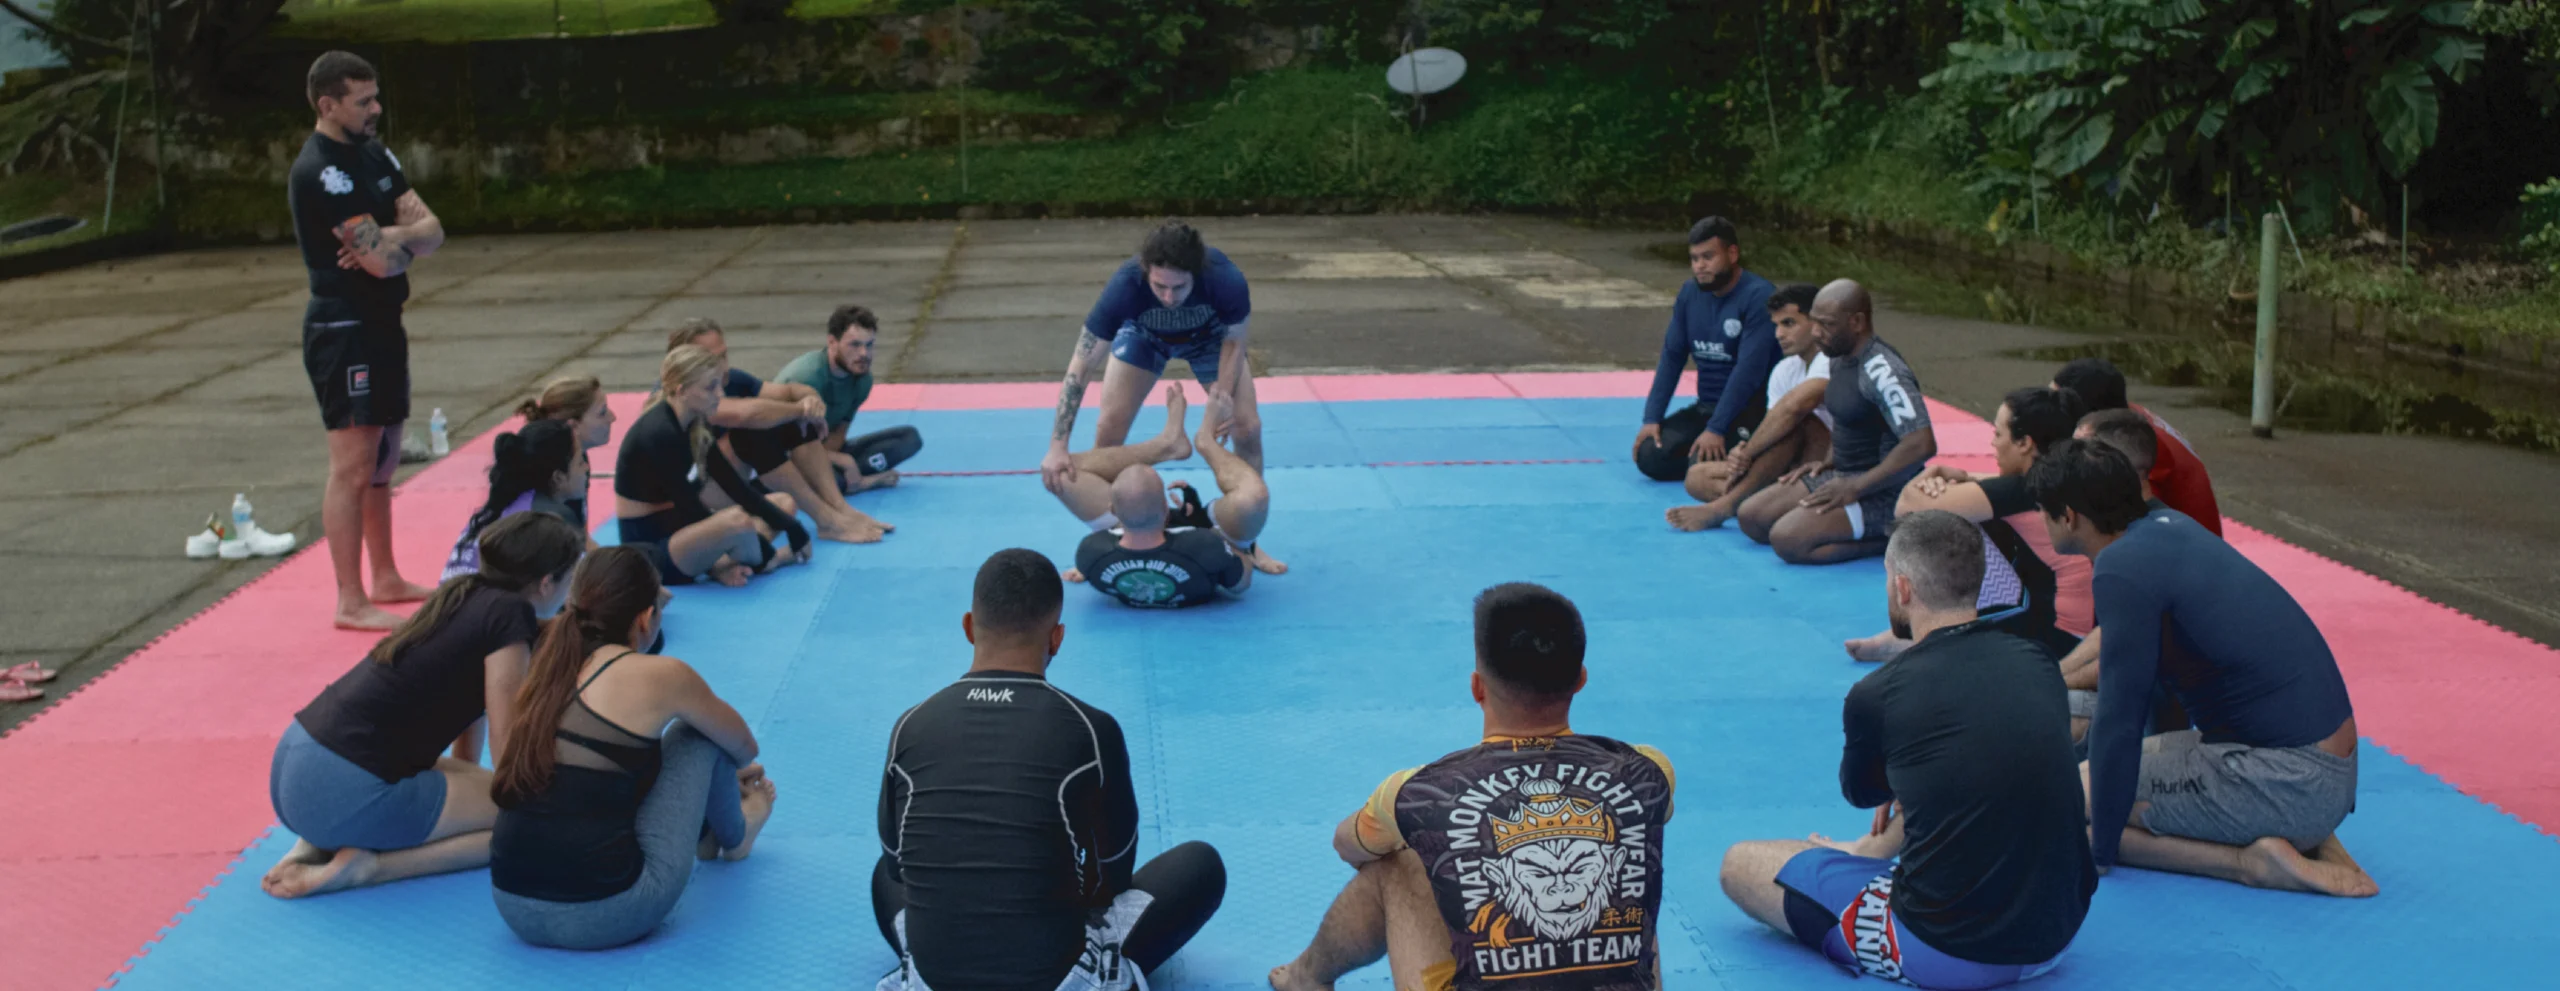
(659, 488)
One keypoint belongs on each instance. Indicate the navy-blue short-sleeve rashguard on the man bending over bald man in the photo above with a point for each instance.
(1146, 332)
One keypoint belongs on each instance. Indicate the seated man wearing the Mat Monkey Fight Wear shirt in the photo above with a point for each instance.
(1530, 862)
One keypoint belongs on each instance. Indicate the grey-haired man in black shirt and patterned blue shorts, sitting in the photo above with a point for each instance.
(1965, 752)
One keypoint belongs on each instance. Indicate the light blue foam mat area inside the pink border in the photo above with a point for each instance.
(1261, 723)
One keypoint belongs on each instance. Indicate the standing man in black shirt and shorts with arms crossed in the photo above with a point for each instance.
(360, 227)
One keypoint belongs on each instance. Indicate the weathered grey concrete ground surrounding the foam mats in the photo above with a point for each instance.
(140, 396)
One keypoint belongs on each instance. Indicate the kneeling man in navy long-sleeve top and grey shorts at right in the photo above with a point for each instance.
(2262, 782)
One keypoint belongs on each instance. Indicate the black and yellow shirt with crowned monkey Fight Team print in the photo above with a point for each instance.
(1545, 859)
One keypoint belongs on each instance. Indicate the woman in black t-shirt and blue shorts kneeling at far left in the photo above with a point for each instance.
(357, 775)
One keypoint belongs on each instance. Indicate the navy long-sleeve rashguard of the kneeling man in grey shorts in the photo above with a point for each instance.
(2198, 618)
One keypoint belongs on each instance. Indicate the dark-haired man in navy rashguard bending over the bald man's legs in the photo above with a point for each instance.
(1179, 298)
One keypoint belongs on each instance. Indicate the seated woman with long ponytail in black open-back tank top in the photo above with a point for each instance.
(605, 805)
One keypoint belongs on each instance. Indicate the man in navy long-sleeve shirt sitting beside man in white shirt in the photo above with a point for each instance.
(1722, 326)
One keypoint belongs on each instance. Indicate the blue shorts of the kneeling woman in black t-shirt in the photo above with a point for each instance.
(334, 805)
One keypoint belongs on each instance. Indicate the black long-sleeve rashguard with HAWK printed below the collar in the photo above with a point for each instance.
(1007, 816)
